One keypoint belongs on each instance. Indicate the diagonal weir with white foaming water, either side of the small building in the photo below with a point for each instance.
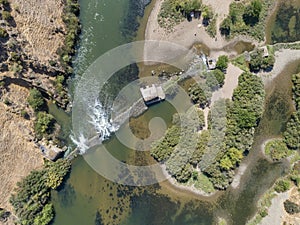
(107, 120)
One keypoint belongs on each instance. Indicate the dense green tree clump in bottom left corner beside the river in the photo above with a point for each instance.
(32, 195)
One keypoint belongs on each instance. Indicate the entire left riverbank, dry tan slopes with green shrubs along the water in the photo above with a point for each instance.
(31, 55)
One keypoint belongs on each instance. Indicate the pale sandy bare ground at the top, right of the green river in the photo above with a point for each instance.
(188, 33)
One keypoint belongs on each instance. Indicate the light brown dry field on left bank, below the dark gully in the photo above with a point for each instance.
(18, 153)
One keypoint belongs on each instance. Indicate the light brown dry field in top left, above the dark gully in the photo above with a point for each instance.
(37, 21)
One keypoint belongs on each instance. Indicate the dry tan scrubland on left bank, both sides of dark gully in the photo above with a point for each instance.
(36, 31)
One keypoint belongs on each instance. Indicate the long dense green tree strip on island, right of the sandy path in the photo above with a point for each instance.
(243, 115)
